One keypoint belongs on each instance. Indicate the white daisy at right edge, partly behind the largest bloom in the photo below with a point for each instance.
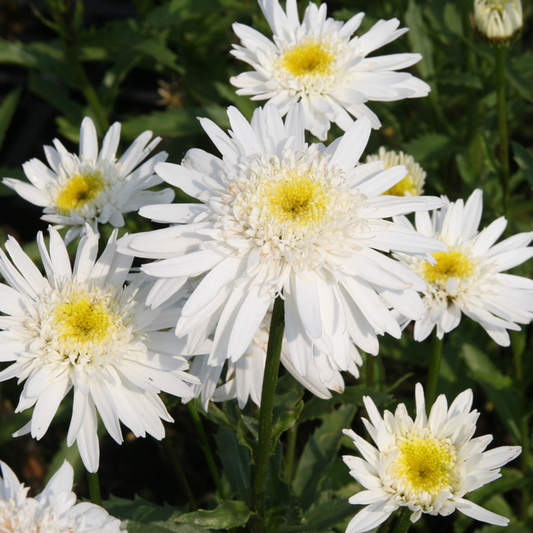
(469, 279)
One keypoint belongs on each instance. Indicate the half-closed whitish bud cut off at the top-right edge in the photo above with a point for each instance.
(498, 20)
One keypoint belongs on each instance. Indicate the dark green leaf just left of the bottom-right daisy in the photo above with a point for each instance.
(319, 454)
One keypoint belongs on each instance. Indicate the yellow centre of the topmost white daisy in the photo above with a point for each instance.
(310, 57)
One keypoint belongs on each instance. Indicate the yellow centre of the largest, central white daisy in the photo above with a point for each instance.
(298, 199)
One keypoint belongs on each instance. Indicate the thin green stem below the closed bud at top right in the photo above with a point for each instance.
(499, 78)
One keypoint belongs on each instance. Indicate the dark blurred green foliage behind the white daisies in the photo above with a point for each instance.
(160, 64)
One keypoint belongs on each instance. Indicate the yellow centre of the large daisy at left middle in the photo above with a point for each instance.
(82, 320)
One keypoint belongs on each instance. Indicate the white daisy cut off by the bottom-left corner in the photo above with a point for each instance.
(54, 510)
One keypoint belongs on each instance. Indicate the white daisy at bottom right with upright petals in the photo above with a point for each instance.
(427, 464)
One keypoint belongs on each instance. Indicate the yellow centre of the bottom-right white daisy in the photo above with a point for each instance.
(425, 465)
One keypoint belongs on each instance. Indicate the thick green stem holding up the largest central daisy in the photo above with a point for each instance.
(265, 445)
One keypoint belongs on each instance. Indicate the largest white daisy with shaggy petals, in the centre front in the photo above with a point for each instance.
(283, 217)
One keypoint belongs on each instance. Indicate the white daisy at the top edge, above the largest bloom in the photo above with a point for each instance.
(318, 62)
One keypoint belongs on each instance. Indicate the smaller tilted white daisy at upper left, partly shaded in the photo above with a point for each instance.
(93, 188)
